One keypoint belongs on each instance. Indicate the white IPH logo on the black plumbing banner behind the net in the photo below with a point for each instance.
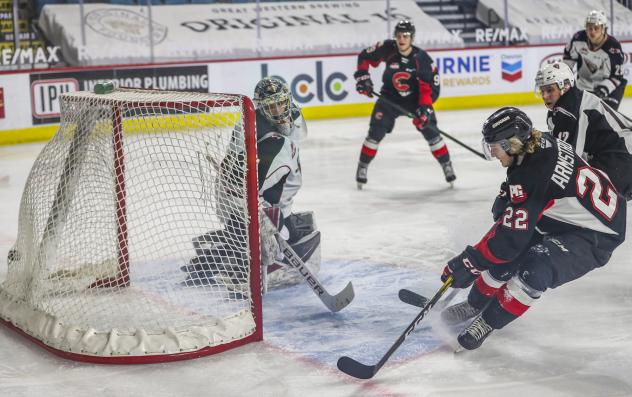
(45, 96)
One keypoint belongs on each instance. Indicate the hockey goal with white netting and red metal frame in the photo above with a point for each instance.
(108, 220)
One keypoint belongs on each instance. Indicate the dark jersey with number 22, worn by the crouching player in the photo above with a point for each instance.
(552, 191)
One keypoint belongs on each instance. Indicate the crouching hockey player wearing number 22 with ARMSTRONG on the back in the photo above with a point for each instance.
(563, 219)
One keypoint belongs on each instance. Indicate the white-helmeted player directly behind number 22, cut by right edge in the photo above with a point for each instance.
(597, 132)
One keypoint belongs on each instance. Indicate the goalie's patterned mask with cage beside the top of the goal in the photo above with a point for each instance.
(273, 98)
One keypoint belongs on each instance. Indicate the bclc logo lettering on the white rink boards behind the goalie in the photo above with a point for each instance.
(305, 87)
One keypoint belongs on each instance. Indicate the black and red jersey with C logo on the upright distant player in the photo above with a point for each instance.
(411, 80)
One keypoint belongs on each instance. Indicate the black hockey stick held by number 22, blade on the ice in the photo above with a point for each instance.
(363, 371)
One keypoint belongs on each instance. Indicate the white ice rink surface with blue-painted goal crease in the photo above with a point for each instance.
(396, 233)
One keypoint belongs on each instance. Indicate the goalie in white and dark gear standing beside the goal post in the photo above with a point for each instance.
(222, 255)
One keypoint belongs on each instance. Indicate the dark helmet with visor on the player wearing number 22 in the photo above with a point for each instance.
(504, 124)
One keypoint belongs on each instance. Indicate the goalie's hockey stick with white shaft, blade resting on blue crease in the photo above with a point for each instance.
(334, 303)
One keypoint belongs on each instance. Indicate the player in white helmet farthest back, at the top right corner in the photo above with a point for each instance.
(599, 59)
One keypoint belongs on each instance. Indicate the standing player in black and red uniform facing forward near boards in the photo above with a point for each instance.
(409, 80)
